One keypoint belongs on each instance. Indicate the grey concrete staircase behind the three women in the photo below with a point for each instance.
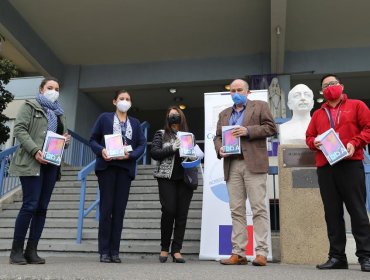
(141, 227)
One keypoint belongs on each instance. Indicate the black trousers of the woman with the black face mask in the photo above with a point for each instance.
(175, 197)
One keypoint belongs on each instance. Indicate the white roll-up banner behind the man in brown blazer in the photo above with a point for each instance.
(216, 229)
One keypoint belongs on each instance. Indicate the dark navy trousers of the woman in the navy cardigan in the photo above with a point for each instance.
(114, 186)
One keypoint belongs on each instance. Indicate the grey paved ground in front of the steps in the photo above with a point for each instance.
(87, 267)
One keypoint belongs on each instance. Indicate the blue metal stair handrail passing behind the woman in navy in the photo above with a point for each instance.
(82, 176)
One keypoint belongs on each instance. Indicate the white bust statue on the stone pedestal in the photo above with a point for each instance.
(300, 101)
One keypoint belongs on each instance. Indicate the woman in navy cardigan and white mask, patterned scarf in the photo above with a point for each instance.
(115, 175)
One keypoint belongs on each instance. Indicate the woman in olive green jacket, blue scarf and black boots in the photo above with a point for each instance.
(37, 177)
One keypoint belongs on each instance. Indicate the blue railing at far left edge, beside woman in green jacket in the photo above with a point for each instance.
(7, 182)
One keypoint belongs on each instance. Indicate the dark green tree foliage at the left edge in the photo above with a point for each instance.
(7, 71)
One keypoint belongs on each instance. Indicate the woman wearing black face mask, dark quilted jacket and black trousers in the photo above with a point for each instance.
(175, 196)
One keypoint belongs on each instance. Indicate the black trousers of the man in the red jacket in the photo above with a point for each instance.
(341, 183)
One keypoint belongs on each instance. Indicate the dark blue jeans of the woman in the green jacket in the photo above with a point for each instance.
(37, 191)
